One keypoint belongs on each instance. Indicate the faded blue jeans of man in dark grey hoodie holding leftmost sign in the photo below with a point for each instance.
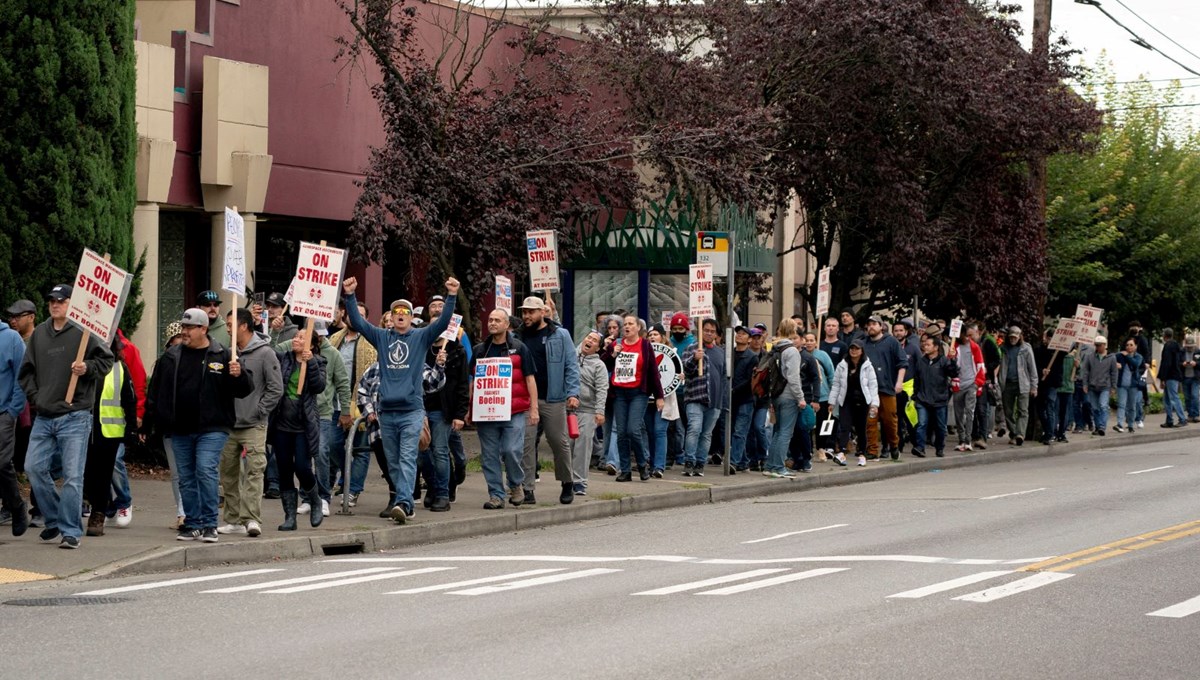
(61, 443)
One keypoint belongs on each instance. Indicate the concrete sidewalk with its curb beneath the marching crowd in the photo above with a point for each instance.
(149, 544)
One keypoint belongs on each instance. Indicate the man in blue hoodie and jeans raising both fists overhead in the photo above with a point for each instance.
(403, 352)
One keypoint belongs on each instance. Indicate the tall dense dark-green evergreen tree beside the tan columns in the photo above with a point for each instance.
(68, 142)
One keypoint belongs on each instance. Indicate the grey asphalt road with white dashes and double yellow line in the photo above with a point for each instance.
(915, 577)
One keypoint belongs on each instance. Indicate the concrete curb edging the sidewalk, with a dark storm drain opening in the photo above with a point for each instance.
(176, 558)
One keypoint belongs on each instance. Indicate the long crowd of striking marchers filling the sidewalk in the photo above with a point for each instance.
(250, 406)
